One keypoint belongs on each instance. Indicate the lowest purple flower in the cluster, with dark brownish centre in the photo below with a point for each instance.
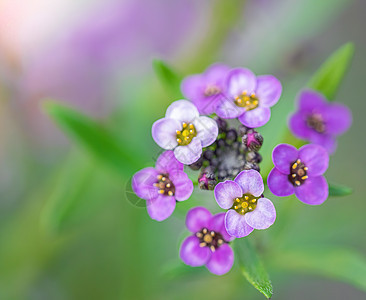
(209, 243)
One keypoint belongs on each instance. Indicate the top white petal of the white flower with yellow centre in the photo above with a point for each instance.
(182, 110)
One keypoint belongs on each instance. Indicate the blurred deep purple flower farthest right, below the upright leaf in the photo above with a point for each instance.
(319, 121)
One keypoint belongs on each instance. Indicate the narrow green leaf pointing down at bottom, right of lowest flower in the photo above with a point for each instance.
(252, 267)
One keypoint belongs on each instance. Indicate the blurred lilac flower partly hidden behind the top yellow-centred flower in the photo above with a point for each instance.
(206, 90)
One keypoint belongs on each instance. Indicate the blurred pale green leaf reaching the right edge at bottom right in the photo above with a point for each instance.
(330, 261)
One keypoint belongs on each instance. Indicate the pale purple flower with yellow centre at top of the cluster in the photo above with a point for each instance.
(249, 98)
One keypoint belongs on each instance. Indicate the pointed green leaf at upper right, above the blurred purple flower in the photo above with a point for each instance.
(330, 74)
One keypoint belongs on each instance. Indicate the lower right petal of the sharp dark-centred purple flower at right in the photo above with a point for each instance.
(313, 191)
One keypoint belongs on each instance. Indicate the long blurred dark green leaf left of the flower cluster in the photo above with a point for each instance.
(94, 138)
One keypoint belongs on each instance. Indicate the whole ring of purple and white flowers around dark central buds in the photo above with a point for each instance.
(195, 132)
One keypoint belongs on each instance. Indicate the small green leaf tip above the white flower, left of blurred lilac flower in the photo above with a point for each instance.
(169, 78)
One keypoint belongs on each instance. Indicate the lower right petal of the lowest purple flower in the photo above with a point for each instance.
(221, 260)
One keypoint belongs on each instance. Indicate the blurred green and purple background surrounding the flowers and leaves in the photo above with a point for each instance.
(70, 228)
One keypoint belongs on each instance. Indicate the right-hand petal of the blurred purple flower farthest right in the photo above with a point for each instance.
(338, 119)
